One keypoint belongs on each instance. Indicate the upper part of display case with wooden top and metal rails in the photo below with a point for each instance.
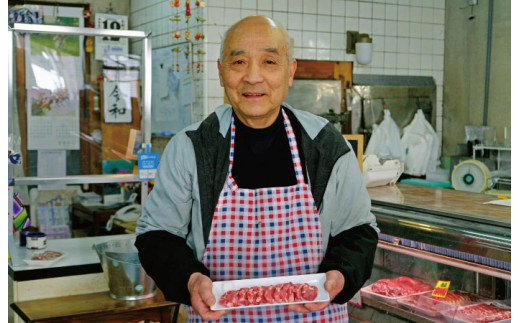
(452, 224)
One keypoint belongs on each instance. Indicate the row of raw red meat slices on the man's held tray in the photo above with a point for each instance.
(279, 293)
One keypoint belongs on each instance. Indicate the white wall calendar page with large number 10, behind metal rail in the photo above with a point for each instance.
(109, 45)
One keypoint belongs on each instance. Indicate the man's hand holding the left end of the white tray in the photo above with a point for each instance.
(202, 297)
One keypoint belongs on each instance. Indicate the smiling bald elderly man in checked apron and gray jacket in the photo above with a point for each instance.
(258, 189)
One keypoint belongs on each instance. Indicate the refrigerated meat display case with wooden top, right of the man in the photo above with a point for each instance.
(436, 235)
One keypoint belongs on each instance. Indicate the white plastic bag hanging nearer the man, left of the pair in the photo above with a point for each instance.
(385, 141)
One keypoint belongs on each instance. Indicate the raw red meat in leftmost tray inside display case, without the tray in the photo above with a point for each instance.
(400, 286)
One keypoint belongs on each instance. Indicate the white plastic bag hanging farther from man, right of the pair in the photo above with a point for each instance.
(421, 145)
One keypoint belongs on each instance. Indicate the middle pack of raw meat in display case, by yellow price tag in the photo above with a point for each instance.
(429, 305)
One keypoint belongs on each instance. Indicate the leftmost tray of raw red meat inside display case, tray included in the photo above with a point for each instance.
(390, 290)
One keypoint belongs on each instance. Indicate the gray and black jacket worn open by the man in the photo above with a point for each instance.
(173, 231)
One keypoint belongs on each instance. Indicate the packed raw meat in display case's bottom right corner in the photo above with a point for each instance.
(485, 312)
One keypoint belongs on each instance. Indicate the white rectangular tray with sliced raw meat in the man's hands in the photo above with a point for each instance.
(284, 290)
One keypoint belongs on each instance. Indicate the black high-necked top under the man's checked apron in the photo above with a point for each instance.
(263, 156)
